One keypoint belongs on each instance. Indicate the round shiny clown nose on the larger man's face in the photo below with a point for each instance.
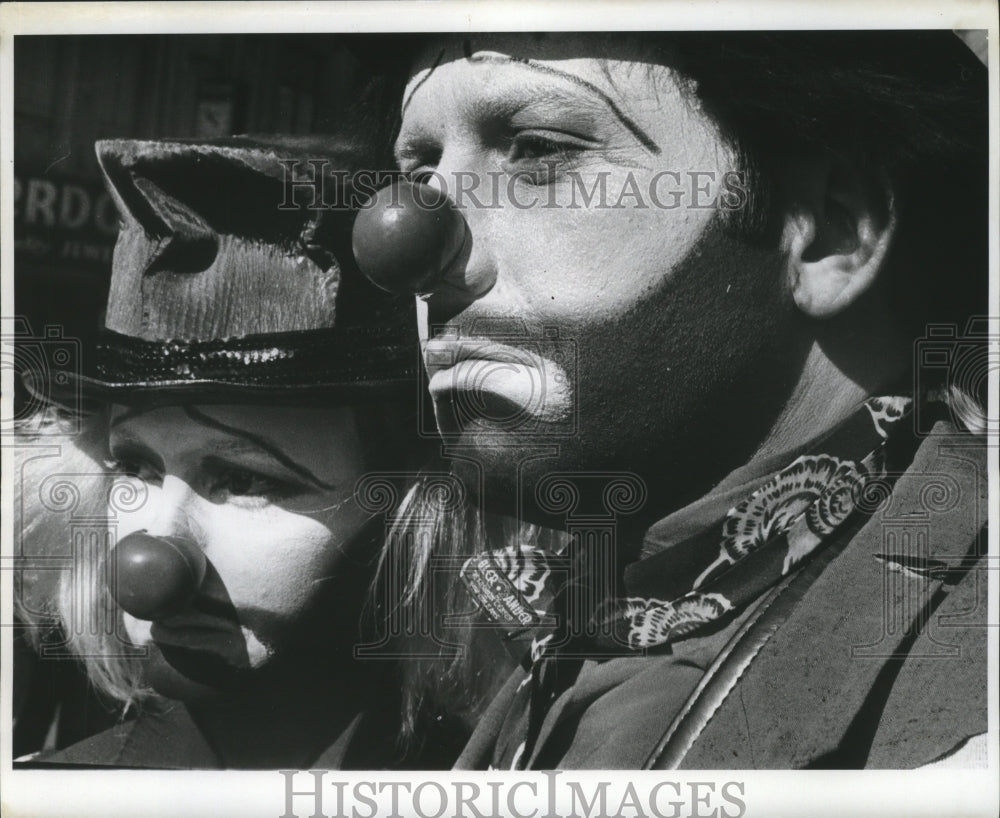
(407, 237)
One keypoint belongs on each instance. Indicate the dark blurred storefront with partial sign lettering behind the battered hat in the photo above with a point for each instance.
(73, 90)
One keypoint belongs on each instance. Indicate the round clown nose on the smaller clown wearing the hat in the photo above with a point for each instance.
(156, 576)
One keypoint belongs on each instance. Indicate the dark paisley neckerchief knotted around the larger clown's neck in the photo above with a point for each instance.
(697, 584)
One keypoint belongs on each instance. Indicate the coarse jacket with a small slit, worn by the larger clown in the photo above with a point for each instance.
(873, 654)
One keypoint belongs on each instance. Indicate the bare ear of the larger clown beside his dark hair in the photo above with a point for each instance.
(838, 226)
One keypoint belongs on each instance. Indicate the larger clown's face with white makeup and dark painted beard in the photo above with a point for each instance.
(656, 308)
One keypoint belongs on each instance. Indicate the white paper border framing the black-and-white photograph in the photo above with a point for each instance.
(40, 793)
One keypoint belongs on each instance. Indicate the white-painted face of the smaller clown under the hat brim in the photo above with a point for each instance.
(267, 493)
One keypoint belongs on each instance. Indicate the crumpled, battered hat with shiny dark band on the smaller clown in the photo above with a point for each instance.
(233, 279)
